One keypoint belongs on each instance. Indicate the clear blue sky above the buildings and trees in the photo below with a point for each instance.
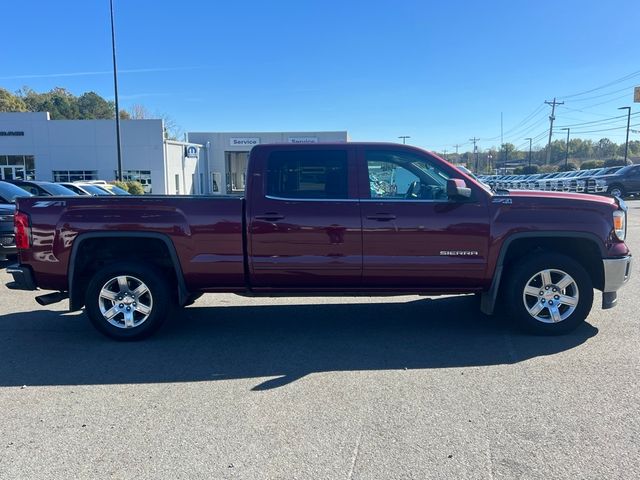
(440, 72)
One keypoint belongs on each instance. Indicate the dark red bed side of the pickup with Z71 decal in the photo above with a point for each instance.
(207, 233)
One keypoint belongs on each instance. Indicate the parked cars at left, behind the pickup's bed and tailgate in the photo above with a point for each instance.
(12, 189)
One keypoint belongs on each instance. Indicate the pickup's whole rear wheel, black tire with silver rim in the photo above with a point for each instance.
(148, 310)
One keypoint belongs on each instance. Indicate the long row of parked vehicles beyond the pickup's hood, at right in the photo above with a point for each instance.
(618, 181)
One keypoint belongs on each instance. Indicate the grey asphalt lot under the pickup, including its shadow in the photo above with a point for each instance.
(336, 388)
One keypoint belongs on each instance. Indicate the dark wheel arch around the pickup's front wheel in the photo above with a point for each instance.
(584, 247)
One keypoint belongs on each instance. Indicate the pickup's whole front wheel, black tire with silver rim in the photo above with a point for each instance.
(555, 316)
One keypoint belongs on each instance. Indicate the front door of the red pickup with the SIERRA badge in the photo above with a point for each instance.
(414, 235)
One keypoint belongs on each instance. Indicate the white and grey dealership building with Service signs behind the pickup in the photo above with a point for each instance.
(33, 146)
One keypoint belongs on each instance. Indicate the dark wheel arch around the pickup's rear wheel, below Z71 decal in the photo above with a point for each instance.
(78, 265)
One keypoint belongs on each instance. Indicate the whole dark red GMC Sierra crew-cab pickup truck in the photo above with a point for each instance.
(327, 219)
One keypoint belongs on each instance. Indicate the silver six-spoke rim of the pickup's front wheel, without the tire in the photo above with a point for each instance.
(551, 296)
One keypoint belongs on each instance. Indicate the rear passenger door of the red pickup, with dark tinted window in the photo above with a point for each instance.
(304, 219)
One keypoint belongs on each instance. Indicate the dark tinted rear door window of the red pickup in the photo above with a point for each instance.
(305, 174)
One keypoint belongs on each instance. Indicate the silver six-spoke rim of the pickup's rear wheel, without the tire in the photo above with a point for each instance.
(125, 302)
